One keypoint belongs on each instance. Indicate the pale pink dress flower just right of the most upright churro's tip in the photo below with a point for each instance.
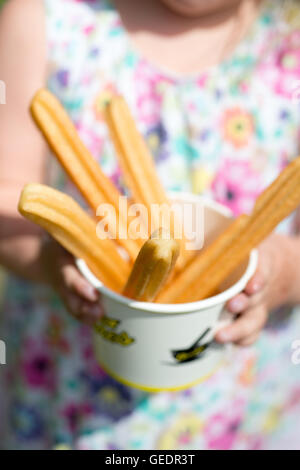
(149, 97)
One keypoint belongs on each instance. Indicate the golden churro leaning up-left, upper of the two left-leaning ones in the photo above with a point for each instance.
(82, 168)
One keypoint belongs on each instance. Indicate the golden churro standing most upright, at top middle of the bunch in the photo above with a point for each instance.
(139, 171)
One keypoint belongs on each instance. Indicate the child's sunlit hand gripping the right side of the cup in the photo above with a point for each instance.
(270, 287)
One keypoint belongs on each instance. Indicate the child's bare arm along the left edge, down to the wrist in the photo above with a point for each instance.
(22, 151)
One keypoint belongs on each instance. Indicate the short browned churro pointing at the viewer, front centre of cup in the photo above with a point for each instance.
(153, 267)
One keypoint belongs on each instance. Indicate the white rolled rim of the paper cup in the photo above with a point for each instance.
(153, 307)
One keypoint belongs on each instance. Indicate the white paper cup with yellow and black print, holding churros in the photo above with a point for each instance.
(157, 347)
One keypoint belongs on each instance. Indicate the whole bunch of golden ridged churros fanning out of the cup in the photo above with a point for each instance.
(160, 269)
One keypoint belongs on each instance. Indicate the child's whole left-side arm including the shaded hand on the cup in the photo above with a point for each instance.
(22, 160)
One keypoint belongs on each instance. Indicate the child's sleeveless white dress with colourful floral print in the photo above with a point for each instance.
(225, 133)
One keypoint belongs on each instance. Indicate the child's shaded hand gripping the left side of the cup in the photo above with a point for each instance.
(80, 298)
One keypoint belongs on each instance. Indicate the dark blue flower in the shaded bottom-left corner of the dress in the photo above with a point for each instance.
(26, 422)
